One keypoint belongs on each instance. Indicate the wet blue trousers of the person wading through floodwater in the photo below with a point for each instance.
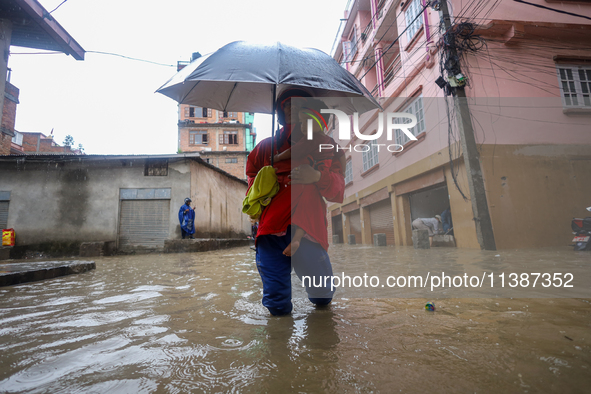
(275, 270)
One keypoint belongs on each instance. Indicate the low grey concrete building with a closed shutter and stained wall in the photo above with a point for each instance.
(131, 200)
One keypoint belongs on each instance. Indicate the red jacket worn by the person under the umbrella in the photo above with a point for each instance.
(277, 216)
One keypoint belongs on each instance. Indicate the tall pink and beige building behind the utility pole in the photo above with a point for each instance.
(528, 98)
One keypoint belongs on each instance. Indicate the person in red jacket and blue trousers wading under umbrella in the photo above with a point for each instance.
(275, 233)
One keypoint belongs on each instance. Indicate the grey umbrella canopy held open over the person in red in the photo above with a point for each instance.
(244, 77)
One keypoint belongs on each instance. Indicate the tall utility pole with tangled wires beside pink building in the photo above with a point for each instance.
(484, 231)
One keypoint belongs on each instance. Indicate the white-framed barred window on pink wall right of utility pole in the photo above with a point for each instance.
(575, 86)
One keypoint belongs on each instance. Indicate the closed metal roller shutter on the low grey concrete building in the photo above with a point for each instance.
(143, 223)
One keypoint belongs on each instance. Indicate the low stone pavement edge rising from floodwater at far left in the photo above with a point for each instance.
(15, 273)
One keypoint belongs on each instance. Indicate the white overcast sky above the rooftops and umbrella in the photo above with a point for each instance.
(108, 103)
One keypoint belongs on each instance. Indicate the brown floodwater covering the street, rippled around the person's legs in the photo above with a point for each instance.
(178, 323)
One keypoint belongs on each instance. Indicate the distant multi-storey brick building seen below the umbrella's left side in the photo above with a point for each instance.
(224, 139)
